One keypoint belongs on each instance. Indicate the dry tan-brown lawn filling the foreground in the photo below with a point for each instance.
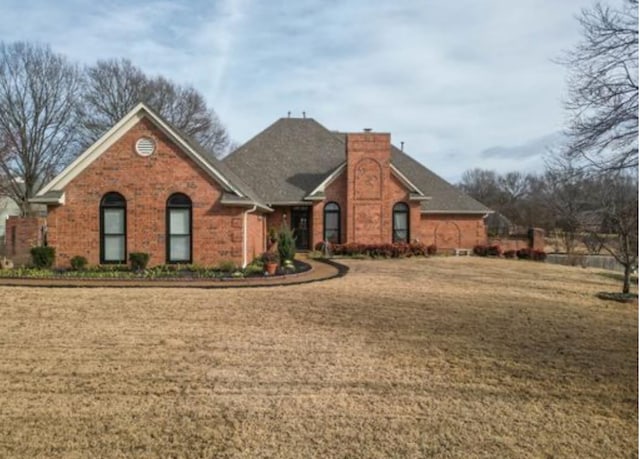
(445, 357)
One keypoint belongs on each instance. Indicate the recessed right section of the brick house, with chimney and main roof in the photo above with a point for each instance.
(354, 187)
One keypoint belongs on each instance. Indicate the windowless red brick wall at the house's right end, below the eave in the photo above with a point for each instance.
(452, 231)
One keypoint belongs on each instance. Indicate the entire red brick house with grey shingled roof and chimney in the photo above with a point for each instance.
(146, 187)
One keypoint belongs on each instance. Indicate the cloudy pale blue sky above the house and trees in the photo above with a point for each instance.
(449, 78)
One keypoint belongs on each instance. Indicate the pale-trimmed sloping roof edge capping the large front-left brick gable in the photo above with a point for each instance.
(53, 192)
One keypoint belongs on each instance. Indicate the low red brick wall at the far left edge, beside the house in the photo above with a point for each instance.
(22, 233)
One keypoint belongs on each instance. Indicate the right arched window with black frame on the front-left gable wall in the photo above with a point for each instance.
(179, 228)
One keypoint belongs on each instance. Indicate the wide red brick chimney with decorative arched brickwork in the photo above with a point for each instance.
(368, 175)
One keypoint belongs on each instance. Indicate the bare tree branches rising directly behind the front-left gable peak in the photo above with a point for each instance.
(113, 87)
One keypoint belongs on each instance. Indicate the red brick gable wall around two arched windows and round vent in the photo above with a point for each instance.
(146, 183)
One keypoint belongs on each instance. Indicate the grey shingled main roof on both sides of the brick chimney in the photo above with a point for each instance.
(295, 158)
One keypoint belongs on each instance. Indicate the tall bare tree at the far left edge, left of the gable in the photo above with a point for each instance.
(38, 99)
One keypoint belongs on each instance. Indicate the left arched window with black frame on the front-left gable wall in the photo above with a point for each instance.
(113, 229)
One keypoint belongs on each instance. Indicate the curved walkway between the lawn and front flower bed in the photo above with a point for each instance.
(320, 270)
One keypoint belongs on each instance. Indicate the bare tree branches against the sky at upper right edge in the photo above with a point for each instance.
(603, 89)
